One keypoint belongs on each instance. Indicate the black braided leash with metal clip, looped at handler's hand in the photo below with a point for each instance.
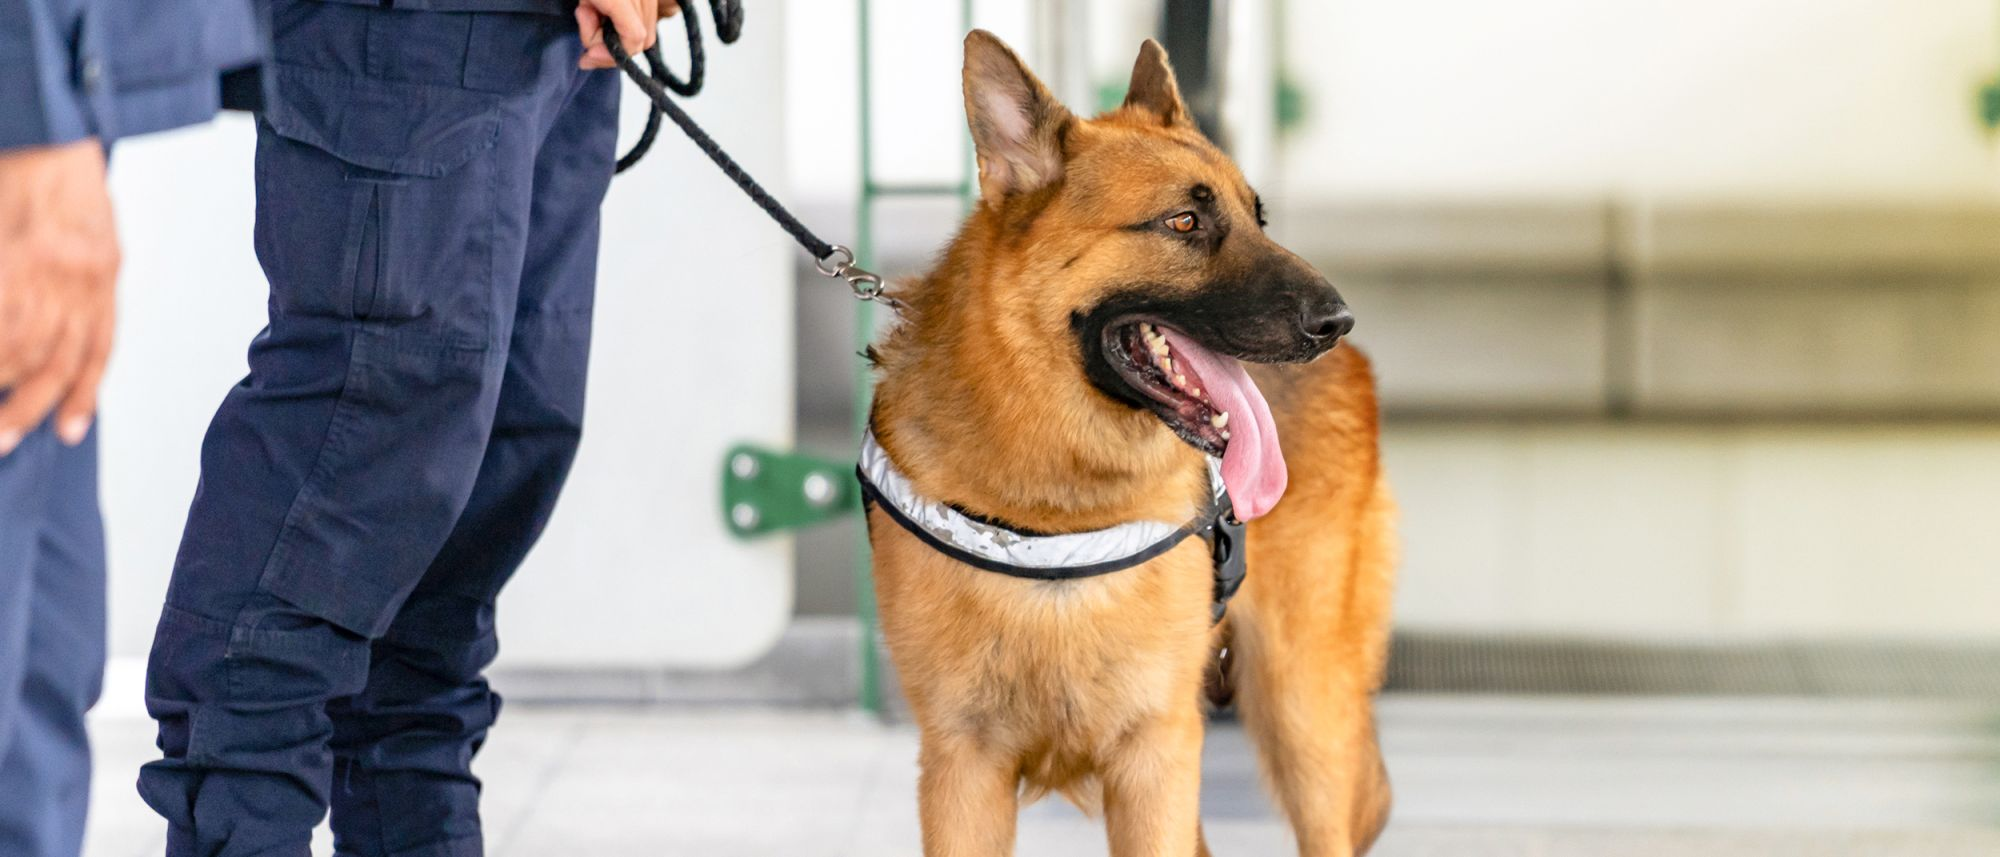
(829, 259)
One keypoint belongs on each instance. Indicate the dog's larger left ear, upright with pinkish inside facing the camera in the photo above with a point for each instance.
(1017, 123)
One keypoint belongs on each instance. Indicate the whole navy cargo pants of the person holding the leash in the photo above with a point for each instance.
(427, 213)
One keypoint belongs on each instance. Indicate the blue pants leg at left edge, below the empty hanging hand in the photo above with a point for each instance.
(51, 642)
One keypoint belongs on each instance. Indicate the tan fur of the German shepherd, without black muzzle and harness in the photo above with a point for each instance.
(1093, 688)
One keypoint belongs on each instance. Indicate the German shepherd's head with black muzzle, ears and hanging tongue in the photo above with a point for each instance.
(1131, 249)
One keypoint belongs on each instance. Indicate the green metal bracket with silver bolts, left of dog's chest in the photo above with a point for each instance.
(767, 492)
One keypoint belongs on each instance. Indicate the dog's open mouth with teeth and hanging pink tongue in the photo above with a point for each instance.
(1209, 401)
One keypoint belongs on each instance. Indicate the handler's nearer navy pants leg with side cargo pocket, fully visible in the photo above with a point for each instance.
(395, 191)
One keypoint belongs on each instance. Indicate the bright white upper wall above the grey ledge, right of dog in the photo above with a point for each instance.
(1743, 99)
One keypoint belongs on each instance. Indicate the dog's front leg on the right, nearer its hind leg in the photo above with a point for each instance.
(1153, 790)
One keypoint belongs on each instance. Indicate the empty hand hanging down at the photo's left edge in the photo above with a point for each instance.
(59, 267)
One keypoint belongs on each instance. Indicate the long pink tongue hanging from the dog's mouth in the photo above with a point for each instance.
(1253, 466)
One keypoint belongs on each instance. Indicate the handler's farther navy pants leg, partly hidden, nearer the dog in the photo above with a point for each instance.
(403, 748)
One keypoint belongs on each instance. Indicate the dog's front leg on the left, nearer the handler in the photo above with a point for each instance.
(969, 798)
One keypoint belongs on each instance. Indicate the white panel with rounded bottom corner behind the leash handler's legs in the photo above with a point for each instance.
(693, 353)
